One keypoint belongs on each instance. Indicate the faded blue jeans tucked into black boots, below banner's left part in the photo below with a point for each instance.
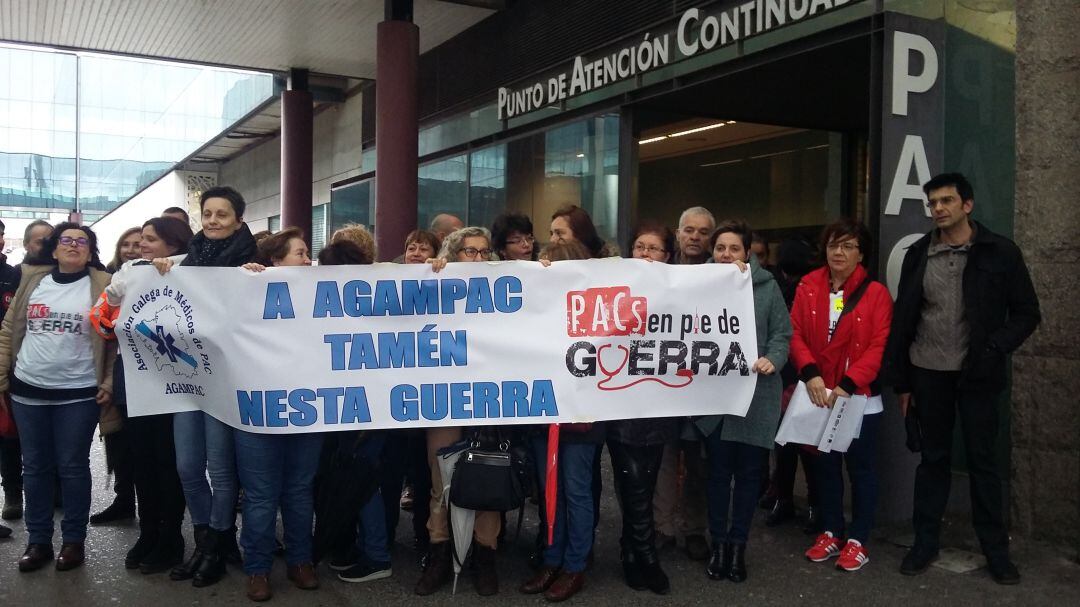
(206, 446)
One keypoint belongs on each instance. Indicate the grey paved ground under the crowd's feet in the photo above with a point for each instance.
(779, 575)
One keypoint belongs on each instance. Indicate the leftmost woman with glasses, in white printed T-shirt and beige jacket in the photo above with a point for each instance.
(59, 373)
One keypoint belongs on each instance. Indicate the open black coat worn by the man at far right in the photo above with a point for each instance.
(1000, 302)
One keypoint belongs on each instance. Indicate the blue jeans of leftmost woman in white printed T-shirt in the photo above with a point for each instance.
(57, 440)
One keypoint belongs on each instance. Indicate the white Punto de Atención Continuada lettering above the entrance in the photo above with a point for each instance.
(697, 32)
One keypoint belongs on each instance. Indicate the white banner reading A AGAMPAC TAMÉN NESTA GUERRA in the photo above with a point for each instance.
(393, 346)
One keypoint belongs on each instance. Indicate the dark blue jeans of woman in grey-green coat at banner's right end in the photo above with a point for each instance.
(746, 464)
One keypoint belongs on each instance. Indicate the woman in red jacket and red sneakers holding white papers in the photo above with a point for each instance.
(841, 320)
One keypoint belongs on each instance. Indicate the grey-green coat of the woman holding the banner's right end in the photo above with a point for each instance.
(774, 338)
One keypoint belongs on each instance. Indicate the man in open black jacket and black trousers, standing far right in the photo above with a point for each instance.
(965, 302)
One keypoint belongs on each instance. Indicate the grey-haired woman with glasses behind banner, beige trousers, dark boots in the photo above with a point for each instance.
(467, 245)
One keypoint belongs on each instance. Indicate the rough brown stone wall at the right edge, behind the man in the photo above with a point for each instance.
(1046, 423)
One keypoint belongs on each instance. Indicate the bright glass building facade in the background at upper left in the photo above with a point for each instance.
(87, 132)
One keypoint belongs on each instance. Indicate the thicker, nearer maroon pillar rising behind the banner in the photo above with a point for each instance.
(396, 134)
